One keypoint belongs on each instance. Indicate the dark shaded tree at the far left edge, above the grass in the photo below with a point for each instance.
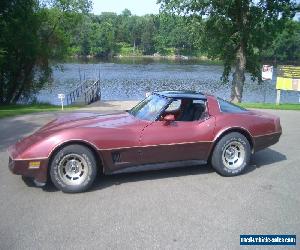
(20, 43)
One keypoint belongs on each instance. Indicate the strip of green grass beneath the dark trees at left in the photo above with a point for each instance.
(13, 110)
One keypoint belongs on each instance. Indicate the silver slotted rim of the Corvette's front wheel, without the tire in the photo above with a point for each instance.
(73, 169)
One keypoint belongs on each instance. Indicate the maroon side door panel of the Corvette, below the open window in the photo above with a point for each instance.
(176, 141)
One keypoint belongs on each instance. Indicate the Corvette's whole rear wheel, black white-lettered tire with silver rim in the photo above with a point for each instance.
(231, 155)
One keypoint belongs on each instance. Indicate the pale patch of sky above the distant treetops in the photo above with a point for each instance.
(137, 7)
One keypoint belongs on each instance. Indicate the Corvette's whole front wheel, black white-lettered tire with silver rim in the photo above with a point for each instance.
(73, 169)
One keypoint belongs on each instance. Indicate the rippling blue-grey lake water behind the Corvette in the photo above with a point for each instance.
(129, 80)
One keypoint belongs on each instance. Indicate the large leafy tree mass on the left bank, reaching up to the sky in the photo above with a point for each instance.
(32, 33)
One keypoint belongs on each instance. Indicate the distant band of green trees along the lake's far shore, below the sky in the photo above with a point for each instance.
(165, 34)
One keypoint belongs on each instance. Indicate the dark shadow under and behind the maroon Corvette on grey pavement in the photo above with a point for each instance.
(263, 158)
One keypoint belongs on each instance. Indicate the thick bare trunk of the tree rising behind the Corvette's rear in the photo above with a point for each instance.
(239, 75)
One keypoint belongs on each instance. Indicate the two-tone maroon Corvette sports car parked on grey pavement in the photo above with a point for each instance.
(167, 129)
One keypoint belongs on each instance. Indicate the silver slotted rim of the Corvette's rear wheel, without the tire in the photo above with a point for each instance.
(233, 155)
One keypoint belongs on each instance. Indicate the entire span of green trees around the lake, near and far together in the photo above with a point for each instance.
(241, 33)
